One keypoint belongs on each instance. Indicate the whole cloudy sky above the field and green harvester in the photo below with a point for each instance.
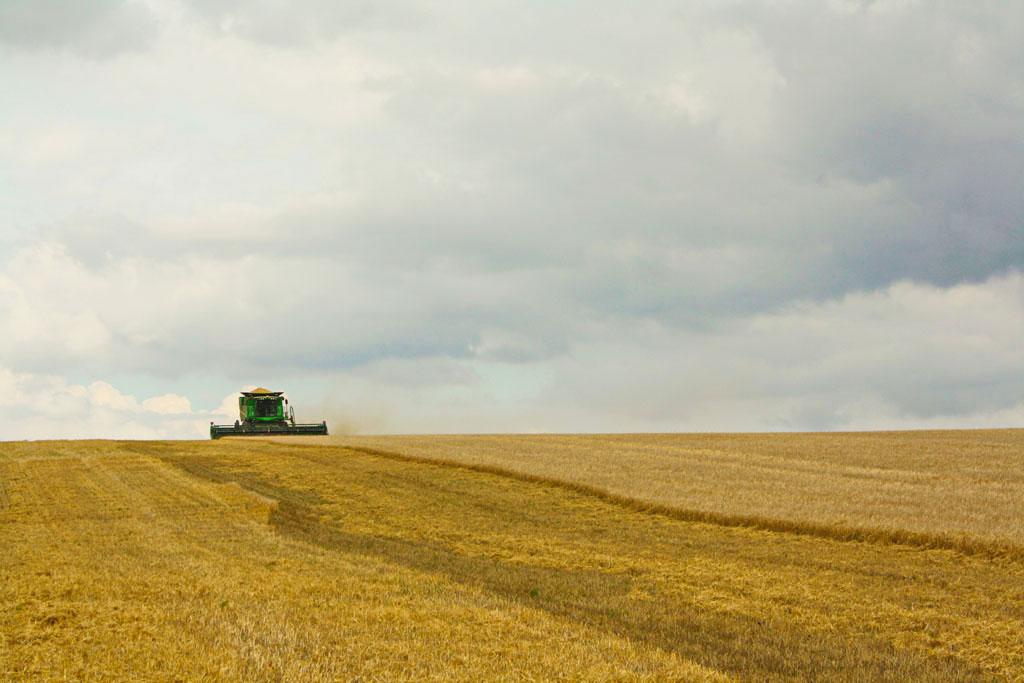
(700, 216)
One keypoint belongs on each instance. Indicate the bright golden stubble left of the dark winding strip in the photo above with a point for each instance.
(117, 565)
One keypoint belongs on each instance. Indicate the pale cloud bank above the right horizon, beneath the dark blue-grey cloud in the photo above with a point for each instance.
(929, 356)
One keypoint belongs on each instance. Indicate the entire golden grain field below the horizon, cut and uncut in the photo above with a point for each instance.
(257, 561)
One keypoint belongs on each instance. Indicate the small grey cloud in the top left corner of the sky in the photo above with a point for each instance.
(99, 29)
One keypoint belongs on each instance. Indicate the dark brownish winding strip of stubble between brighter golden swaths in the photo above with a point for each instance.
(739, 646)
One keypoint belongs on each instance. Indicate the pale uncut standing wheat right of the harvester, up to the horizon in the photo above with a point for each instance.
(957, 489)
